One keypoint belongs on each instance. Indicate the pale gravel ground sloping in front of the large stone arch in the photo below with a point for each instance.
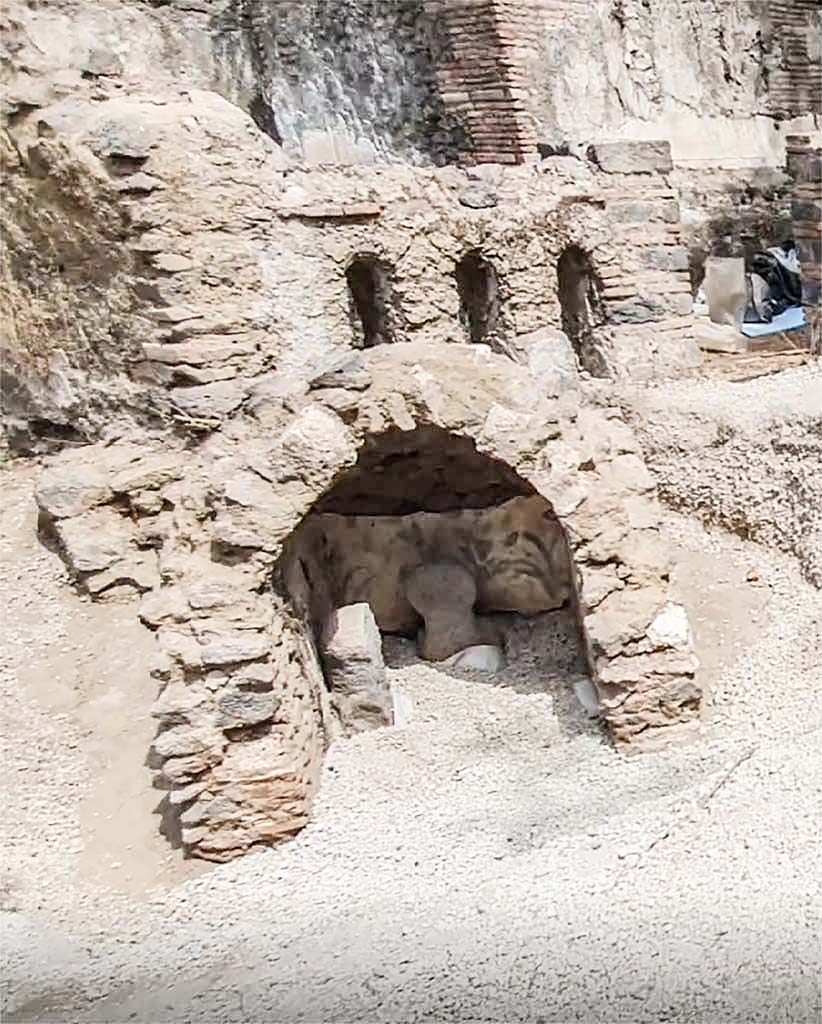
(493, 860)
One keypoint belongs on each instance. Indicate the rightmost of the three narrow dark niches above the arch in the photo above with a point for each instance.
(581, 302)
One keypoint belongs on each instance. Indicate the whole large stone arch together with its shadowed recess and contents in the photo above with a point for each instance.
(418, 490)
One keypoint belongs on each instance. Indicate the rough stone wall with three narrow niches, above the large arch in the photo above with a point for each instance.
(233, 275)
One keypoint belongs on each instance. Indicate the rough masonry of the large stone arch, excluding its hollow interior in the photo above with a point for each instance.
(244, 711)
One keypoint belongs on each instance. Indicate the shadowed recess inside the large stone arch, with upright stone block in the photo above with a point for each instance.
(451, 559)
